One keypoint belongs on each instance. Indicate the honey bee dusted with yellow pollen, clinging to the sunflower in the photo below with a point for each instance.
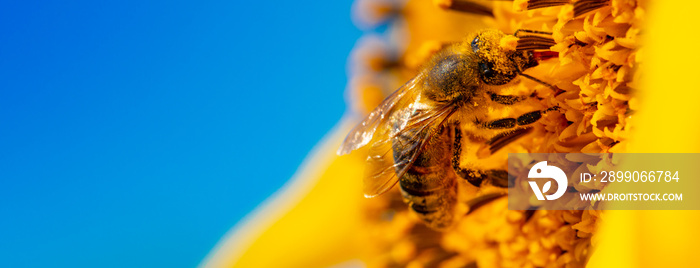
(414, 134)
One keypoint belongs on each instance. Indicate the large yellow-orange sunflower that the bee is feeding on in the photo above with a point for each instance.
(321, 219)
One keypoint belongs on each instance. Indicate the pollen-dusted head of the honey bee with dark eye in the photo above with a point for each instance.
(499, 62)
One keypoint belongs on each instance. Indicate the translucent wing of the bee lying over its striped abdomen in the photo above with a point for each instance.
(387, 163)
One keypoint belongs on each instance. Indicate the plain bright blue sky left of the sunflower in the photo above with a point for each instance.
(136, 133)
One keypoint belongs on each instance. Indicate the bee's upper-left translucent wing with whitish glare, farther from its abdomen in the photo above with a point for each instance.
(362, 134)
